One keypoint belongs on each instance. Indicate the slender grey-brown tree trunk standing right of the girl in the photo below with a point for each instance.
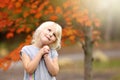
(88, 47)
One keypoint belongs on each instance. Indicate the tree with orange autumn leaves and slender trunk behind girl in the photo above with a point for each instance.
(21, 16)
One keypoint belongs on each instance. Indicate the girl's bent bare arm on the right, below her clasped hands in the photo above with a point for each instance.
(52, 65)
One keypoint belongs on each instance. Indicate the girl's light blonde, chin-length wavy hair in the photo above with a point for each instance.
(57, 44)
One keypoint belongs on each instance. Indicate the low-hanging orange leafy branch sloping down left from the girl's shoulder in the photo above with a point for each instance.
(14, 55)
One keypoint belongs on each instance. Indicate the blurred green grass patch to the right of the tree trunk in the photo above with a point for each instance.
(111, 67)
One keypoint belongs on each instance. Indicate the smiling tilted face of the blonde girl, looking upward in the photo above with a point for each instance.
(48, 35)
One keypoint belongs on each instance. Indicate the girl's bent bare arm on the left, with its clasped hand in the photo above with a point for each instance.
(31, 65)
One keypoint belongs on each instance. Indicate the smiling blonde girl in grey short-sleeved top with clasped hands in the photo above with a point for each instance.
(40, 59)
